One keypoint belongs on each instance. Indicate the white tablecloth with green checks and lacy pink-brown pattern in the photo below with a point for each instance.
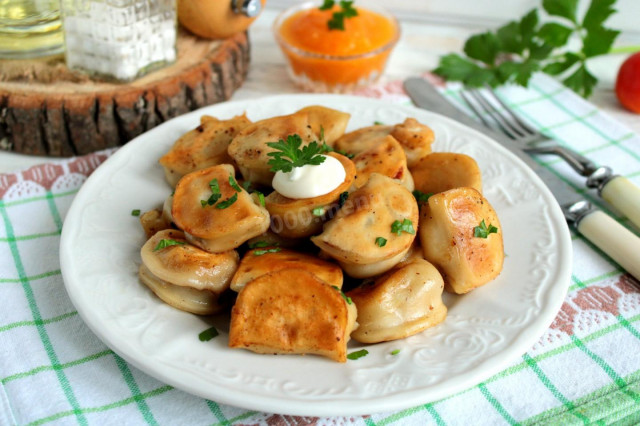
(584, 369)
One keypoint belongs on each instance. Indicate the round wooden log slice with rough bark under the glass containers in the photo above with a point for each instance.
(47, 109)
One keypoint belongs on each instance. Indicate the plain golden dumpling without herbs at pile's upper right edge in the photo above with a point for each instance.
(441, 171)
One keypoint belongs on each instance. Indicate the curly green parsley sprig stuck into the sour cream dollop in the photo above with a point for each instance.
(288, 154)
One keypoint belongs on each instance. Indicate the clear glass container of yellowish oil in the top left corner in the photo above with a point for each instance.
(30, 28)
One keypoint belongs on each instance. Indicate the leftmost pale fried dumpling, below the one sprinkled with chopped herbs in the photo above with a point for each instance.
(184, 276)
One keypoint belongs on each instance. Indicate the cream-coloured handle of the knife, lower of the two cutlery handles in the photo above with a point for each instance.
(613, 239)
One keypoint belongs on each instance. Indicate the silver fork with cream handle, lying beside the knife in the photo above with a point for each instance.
(617, 190)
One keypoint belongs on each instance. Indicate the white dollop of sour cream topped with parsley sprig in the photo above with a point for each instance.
(310, 180)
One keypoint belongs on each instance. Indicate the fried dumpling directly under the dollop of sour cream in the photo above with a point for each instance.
(298, 218)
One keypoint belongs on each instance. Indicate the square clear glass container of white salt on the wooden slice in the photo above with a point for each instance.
(119, 39)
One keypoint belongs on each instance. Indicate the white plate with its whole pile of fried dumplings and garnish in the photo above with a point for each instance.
(432, 260)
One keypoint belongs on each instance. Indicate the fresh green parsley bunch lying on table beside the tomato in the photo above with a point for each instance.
(513, 52)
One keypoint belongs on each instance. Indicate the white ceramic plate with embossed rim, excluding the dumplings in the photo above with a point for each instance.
(484, 331)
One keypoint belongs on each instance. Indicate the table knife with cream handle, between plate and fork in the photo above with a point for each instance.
(601, 229)
